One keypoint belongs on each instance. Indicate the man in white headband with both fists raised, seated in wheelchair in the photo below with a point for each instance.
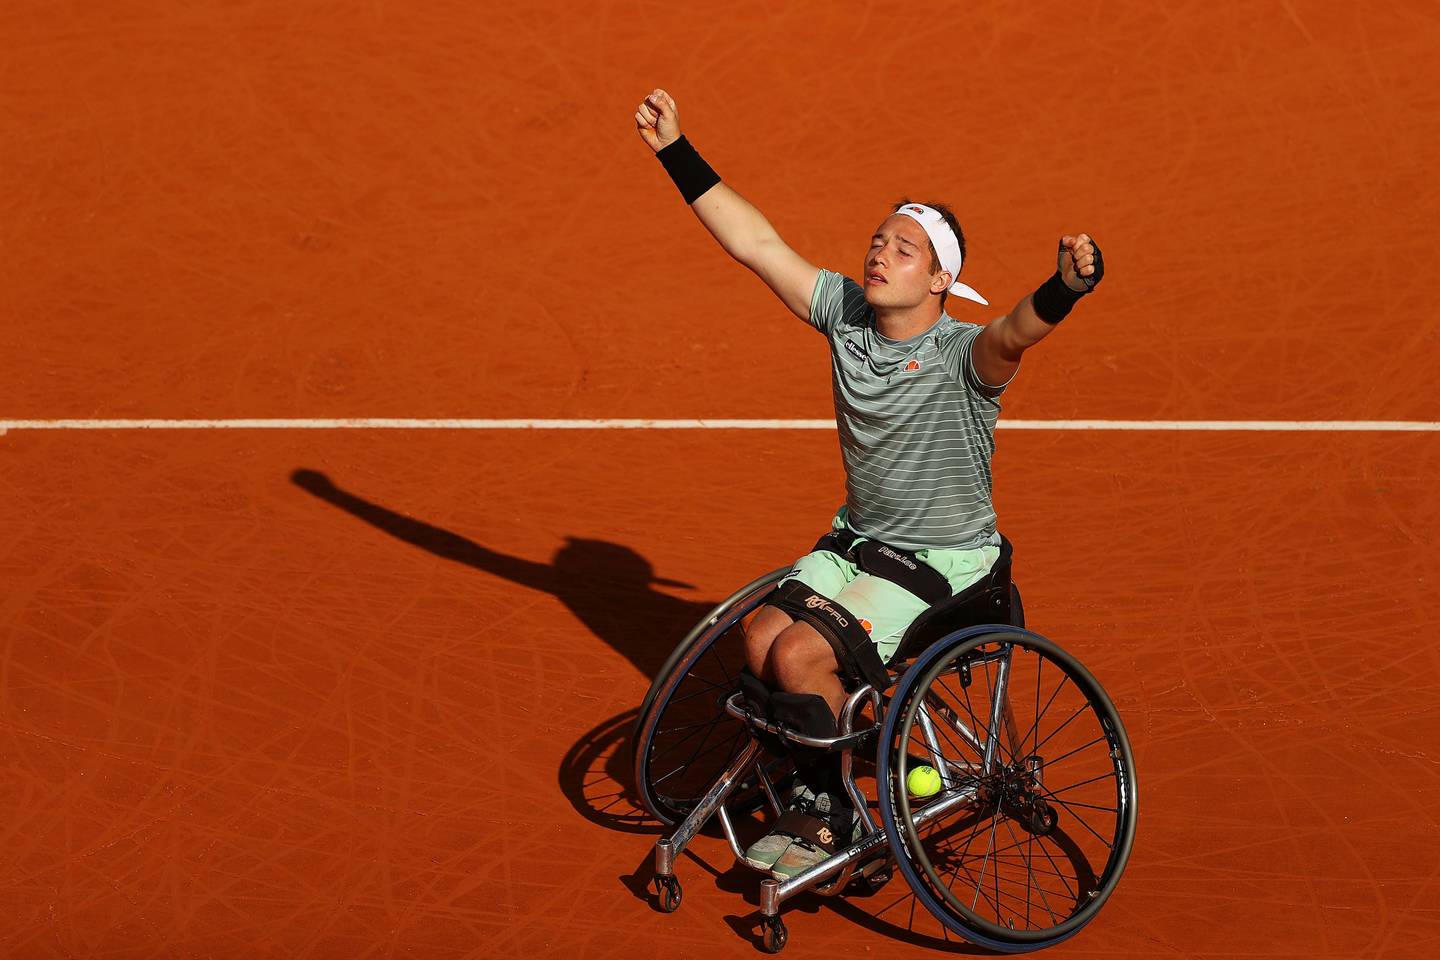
(917, 402)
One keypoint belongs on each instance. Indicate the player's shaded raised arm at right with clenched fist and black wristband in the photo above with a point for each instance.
(999, 349)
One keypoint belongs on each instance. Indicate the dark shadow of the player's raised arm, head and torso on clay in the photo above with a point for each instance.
(608, 587)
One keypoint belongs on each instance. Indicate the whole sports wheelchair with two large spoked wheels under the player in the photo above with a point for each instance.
(1036, 811)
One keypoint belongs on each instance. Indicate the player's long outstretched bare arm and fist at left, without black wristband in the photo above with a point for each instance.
(739, 228)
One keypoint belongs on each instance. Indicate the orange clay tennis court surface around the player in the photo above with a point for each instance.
(366, 694)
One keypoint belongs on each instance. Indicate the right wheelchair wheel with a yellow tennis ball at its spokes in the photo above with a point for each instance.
(1038, 805)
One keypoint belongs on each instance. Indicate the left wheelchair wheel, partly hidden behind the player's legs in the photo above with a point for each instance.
(683, 738)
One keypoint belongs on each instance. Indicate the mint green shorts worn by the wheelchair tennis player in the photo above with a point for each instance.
(882, 607)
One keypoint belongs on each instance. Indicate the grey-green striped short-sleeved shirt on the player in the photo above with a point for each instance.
(917, 425)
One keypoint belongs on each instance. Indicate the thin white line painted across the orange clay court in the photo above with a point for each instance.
(417, 424)
